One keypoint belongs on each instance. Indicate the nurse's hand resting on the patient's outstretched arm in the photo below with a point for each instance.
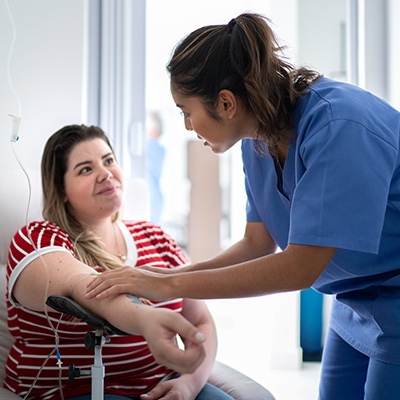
(136, 281)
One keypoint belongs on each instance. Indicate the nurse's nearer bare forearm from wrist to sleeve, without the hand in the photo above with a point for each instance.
(295, 268)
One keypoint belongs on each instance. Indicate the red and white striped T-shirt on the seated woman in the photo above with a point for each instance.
(129, 366)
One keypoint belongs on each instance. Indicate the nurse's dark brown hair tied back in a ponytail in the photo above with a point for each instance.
(245, 58)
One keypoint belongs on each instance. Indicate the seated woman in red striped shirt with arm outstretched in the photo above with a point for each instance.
(80, 237)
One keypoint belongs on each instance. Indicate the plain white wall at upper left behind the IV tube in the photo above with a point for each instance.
(46, 70)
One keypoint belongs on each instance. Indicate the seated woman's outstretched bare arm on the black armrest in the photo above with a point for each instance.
(63, 275)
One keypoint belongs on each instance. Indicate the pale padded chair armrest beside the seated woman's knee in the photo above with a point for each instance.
(236, 384)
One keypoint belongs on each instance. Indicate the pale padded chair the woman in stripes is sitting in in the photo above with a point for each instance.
(13, 206)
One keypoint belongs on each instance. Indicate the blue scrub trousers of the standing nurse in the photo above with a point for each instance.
(348, 374)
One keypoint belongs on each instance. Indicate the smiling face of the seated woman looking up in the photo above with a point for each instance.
(93, 183)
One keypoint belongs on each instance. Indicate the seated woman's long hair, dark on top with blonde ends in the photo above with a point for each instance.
(87, 245)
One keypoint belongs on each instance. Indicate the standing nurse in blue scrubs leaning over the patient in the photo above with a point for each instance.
(322, 175)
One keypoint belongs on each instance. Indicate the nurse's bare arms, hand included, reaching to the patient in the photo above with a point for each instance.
(249, 268)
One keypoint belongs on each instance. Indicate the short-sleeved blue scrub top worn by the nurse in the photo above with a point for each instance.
(340, 187)
